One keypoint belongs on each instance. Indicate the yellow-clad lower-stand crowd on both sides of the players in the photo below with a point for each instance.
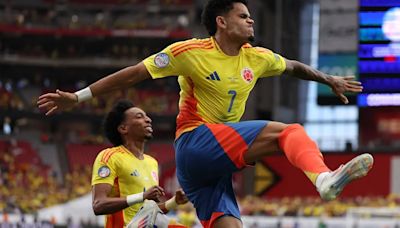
(27, 187)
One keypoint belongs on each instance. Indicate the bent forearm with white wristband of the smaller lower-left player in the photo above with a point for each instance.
(103, 204)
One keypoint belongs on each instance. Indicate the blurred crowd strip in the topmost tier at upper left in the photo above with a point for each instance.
(108, 15)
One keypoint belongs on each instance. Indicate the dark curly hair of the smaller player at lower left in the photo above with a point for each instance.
(113, 119)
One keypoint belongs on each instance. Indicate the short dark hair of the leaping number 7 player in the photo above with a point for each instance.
(215, 8)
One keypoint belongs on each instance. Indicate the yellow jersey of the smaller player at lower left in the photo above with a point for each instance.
(127, 174)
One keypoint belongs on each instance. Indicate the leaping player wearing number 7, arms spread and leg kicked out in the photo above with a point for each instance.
(216, 75)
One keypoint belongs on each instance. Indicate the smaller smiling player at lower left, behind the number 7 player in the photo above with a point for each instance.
(124, 176)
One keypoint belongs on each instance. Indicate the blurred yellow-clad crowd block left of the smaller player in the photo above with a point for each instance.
(26, 187)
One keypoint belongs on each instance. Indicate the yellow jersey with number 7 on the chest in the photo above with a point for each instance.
(214, 86)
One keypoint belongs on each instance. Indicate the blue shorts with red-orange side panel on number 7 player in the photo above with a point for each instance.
(206, 158)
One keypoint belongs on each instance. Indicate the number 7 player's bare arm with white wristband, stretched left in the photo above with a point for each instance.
(60, 100)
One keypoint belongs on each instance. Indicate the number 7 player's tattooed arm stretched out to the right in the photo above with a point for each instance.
(338, 84)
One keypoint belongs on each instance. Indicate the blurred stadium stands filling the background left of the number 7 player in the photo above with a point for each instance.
(46, 45)
